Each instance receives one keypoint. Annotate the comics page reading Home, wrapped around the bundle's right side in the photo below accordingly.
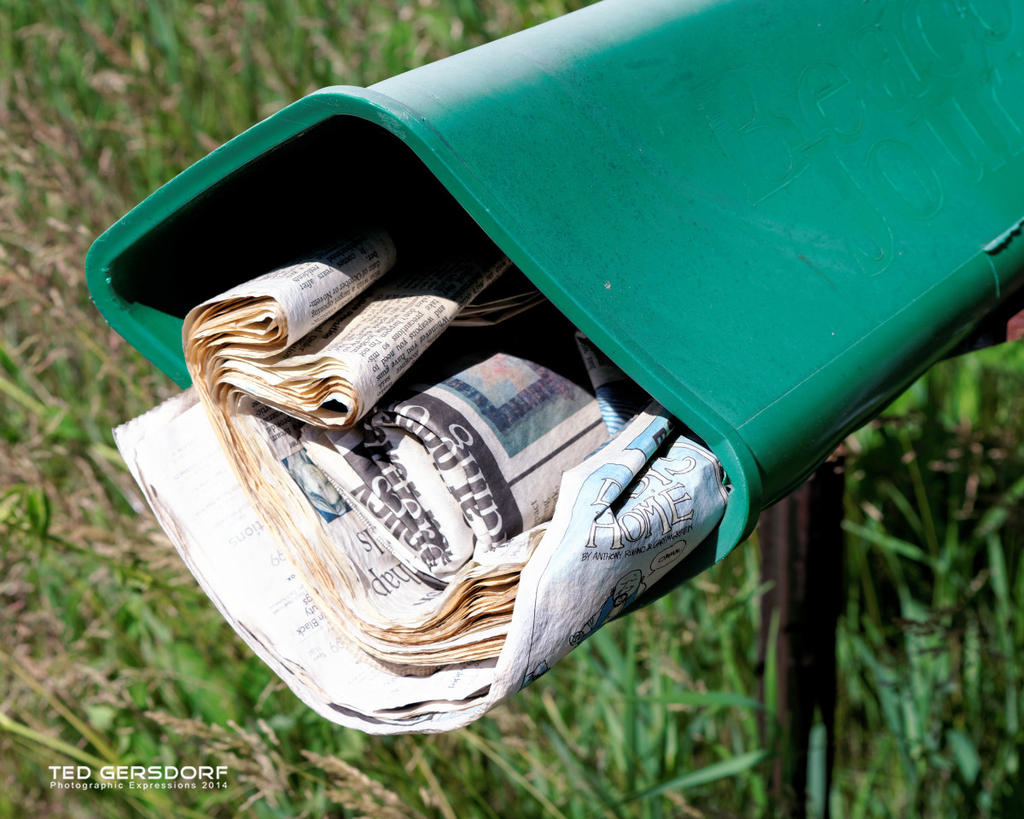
(625, 518)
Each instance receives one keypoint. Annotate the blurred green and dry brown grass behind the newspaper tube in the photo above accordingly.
(109, 654)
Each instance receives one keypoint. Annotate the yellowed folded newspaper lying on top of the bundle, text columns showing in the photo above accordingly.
(298, 339)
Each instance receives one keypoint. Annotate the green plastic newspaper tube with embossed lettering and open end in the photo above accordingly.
(774, 217)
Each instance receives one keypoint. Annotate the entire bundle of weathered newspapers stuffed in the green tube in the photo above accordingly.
(409, 532)
